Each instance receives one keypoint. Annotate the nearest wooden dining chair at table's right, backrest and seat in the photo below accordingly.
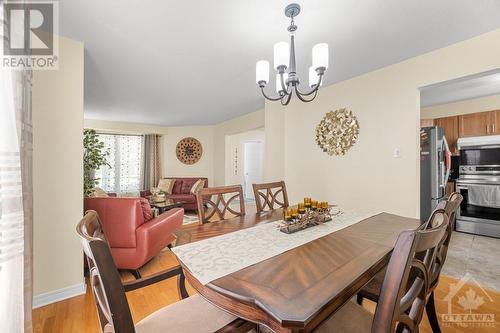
(406, 285)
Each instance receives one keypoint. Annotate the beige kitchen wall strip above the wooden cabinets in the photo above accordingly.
(487, 103)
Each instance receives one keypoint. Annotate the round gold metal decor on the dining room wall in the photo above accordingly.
(337, 132)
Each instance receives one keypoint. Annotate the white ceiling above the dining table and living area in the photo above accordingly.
(192, 62)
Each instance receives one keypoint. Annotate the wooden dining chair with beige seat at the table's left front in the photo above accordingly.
(192, 314)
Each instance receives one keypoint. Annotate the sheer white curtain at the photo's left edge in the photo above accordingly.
(15, 201)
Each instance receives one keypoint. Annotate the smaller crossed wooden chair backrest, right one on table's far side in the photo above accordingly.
(267, 196)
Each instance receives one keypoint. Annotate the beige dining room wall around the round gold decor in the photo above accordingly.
(386, 103)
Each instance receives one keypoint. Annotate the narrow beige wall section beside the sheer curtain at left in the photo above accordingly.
(58, 171)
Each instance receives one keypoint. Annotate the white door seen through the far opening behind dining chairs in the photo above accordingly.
(253, 157)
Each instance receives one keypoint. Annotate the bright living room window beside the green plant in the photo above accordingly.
(124, 176)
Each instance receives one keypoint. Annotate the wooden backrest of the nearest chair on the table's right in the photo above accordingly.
(406, 284)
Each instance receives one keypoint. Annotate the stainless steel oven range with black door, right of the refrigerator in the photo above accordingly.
(479, 184)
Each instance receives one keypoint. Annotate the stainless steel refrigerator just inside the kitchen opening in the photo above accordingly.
(435, 165)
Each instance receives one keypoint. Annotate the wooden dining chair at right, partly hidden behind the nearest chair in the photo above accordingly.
(371, 290)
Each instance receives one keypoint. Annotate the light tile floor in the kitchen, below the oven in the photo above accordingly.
(477, 255)
